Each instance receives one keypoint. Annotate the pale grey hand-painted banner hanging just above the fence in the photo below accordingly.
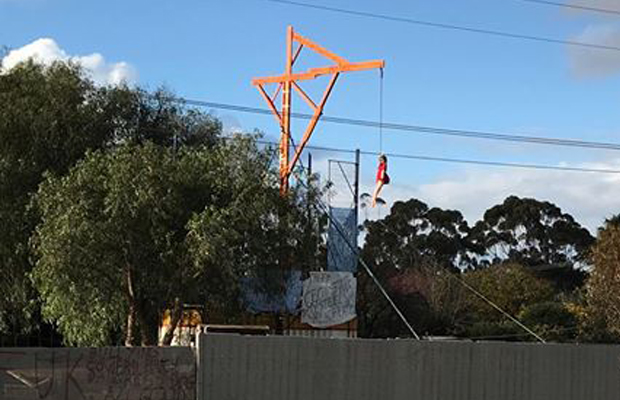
(328, 299)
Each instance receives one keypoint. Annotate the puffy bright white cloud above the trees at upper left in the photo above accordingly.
(46, 51)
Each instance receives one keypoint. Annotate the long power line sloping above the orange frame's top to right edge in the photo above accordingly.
(440, 25)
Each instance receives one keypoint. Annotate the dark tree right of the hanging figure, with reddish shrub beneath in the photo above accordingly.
(410, 249)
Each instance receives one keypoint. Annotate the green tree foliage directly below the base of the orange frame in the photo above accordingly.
(257, 234)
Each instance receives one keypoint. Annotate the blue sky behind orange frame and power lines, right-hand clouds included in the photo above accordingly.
(211, 50)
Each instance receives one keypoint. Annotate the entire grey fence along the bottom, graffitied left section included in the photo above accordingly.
(229, 367)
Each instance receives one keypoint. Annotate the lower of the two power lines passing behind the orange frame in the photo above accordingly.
(460, 160)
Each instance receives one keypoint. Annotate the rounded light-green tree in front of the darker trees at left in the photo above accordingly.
(113, 225)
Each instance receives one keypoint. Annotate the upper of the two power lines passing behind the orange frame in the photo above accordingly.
(419, 128)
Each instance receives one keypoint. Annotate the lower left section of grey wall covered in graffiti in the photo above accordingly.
(97, 374)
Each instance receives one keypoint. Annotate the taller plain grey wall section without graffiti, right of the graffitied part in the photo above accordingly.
(286, 368)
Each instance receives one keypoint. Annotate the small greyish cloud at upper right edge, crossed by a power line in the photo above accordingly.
(591, 62)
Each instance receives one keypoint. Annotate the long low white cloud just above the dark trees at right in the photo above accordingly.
(588, 197)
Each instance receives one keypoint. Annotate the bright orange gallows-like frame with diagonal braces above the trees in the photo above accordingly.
(288, 81)
